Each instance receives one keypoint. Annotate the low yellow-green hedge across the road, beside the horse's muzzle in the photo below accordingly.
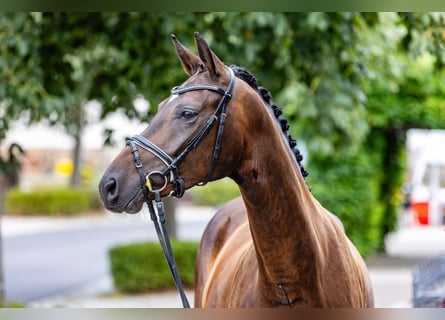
(52, 201)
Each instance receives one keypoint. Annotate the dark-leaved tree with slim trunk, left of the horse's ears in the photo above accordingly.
(108, 57)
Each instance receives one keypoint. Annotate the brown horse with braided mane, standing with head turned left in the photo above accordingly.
(276, 245)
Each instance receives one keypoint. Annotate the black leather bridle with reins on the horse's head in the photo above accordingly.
(171, 174)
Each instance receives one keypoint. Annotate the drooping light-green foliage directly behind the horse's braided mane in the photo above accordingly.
(309, 62)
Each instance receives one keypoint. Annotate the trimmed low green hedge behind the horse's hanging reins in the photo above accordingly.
(142, 267)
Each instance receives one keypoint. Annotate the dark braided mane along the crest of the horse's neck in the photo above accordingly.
(251, 80)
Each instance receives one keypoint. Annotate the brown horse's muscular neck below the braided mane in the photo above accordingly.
(284, 217)
